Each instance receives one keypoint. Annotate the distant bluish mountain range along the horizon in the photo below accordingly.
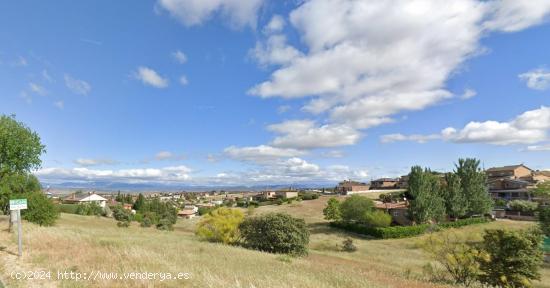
(141, 187)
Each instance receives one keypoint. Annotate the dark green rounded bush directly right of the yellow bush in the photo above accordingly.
(275, 233)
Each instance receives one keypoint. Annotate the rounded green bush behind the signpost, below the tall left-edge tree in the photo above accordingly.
(40, 209)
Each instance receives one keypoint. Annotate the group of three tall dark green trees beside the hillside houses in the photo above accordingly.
(461, 193)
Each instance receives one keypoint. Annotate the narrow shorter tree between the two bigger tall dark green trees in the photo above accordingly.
(456, 203)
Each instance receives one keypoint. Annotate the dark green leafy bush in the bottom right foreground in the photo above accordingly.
(510, 258)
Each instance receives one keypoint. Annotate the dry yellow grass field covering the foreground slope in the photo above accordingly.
(84, 244)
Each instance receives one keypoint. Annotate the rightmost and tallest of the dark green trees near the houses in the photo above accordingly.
(473, 182)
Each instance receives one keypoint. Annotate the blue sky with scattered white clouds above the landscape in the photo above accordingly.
(275, 92)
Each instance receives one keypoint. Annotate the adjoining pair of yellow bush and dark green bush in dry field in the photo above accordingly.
(271, 232)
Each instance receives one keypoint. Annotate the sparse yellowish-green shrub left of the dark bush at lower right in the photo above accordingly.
(458, 258)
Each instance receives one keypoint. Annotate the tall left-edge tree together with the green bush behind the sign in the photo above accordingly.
(20, 151)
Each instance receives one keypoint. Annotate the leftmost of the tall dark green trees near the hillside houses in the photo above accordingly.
(426, 202)
